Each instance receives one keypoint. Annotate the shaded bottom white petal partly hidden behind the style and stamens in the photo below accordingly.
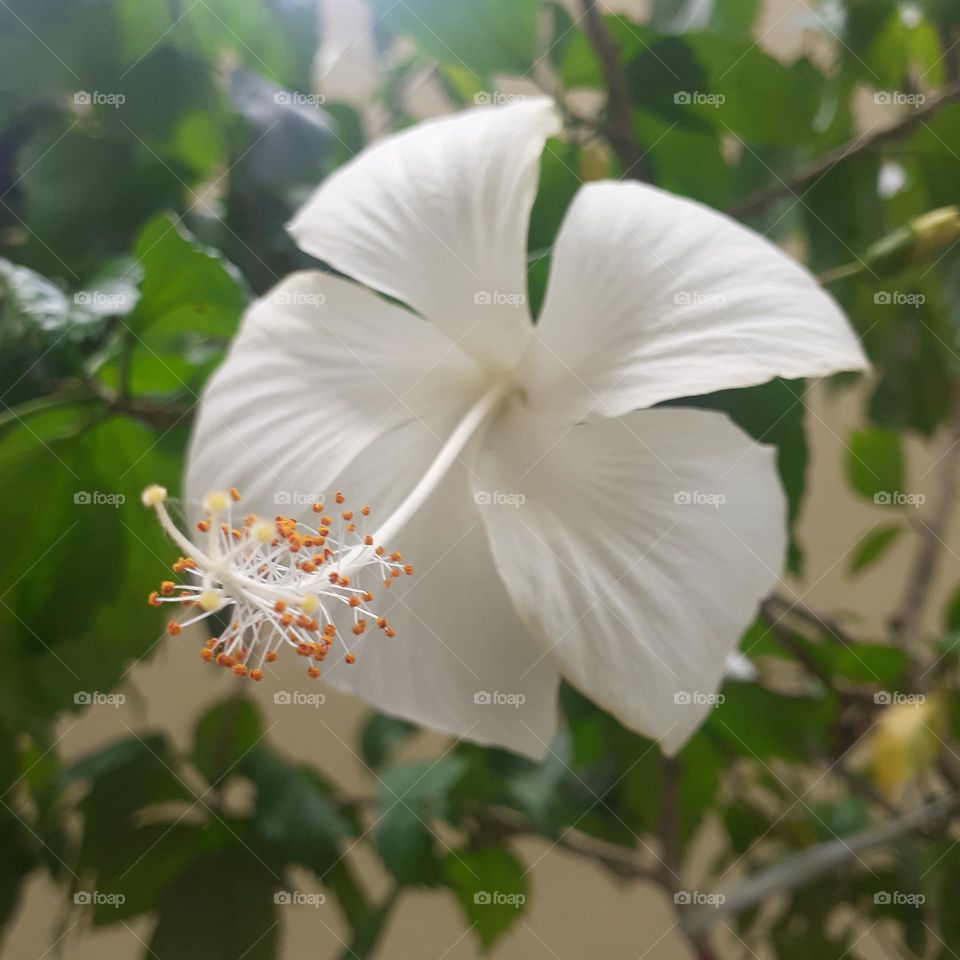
(458, 635)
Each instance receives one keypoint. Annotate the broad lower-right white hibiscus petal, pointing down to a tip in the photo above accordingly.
(638, 594)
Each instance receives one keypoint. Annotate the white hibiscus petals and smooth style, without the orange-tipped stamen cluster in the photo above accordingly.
(565, 523)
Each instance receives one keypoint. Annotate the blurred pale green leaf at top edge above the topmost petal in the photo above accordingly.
(484, 36)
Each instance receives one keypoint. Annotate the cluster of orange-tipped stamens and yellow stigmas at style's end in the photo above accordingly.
(281, 583)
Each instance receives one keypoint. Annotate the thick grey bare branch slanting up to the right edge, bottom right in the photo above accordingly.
(815, 862)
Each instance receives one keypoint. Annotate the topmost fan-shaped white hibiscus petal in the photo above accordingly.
(437, 217)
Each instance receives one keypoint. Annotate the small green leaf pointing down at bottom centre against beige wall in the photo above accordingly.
(490, 885)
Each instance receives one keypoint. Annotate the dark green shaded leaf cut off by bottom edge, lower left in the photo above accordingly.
(220, 908)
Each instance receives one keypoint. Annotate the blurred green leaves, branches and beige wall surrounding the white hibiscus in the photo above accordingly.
(150, 153)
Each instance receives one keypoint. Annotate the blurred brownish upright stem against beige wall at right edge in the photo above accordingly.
(905, 623)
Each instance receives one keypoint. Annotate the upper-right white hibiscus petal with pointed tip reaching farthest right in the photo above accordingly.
(653, 297)
